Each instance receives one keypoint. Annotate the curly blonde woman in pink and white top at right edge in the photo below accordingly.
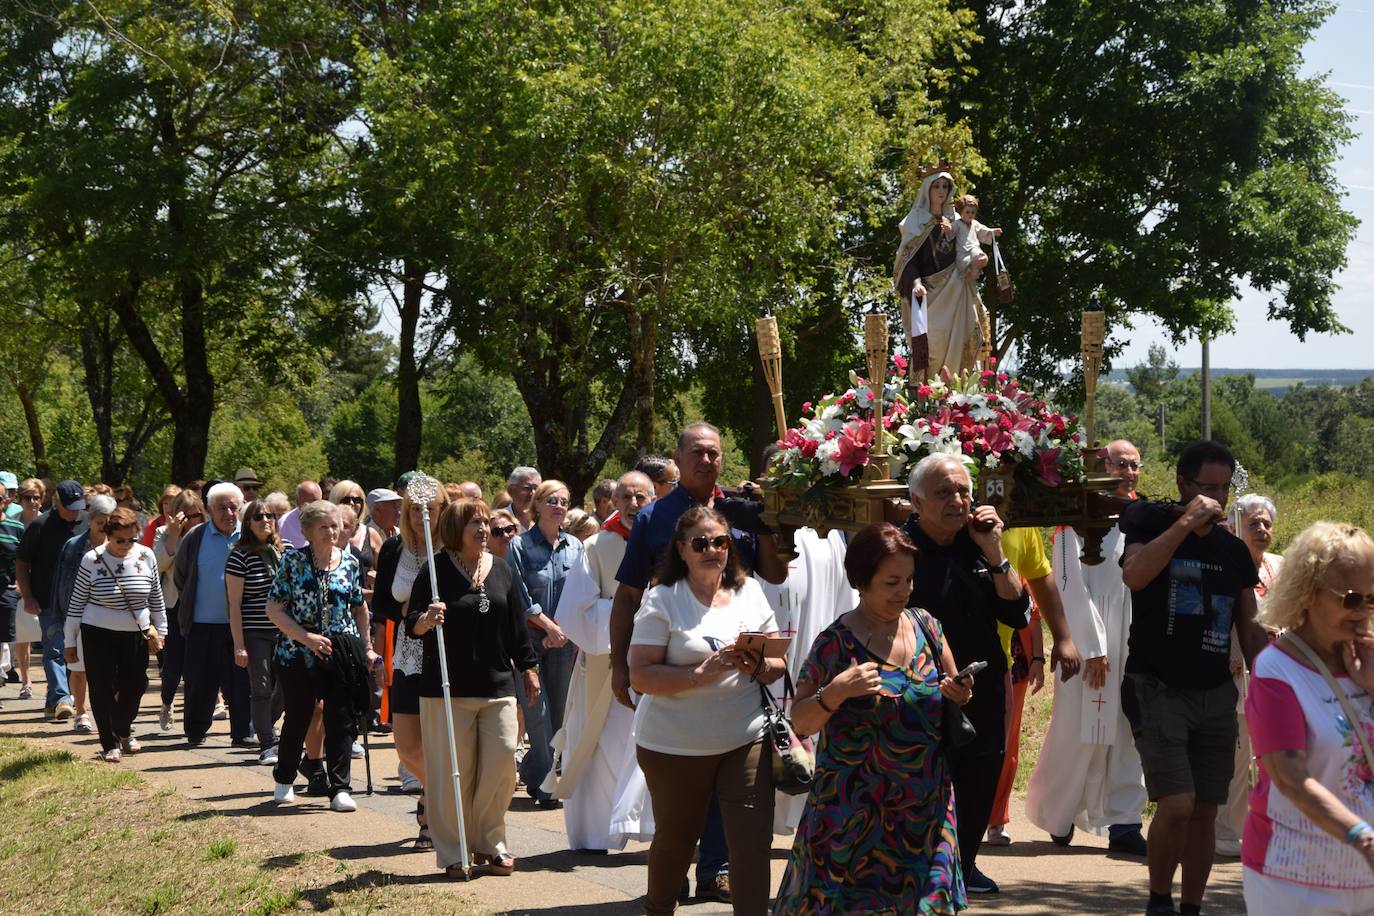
(1309, 847)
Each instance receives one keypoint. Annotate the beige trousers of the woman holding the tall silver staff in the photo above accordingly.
(484, 733)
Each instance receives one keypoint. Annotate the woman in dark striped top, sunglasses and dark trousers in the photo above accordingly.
(248, 576)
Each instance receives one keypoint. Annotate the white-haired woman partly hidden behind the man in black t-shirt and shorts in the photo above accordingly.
(1252, 518)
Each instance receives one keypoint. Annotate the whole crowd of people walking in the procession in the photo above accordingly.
(611, 661)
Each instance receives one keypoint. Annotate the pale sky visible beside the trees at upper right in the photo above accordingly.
(1342, 53)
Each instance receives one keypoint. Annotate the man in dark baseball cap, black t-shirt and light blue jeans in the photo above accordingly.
(35, 566)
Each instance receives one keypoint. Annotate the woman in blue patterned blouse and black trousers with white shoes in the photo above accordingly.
(325, 652)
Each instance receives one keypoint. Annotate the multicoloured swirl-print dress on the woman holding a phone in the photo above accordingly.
(879, 830)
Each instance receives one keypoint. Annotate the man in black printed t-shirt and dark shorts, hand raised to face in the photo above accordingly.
(1191, 583)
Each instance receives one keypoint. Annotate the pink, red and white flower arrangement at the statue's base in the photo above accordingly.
(984, 418)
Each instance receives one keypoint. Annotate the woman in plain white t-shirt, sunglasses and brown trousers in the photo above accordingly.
(700, 726)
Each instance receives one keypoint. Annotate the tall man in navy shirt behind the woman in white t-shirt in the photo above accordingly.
(699, 459)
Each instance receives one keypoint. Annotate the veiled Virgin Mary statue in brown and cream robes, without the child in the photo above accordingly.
(942, 301)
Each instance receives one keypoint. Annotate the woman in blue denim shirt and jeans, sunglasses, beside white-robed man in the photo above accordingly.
(542, 560)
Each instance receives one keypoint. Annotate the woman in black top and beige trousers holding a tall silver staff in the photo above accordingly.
(486, 641)
